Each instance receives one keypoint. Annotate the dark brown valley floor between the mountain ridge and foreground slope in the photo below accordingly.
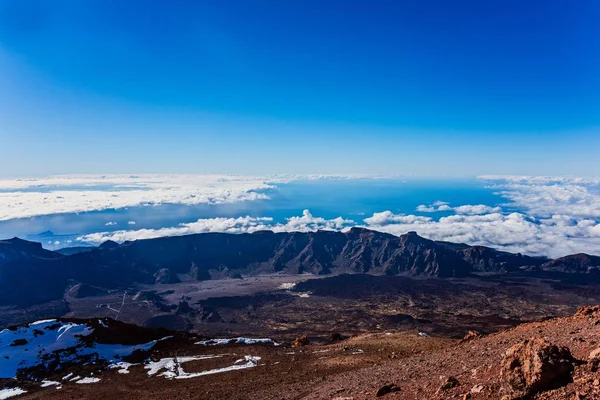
(349, 304)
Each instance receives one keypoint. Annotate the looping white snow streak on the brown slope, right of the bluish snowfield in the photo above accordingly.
(174, 369)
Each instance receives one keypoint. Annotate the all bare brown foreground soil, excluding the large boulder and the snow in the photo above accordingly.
(417, 365)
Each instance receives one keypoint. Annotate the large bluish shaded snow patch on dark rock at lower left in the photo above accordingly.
(42, 342)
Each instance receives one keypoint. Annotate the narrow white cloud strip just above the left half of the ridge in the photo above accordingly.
(305, 223)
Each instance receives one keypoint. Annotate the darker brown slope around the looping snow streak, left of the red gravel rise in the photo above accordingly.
(283, 372)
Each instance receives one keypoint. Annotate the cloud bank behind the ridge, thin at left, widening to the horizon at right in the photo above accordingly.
(541, 216)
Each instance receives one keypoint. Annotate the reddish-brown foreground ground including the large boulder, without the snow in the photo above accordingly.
(554, 359)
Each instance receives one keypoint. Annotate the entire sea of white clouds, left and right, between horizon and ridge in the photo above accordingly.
(552, 216)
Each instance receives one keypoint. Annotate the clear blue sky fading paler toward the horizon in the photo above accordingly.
(271, 86)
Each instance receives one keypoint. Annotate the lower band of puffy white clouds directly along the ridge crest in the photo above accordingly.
(515, 232)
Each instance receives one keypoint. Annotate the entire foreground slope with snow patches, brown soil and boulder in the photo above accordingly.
(553, 359)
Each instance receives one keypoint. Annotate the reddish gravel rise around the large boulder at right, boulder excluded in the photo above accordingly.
(474, 363)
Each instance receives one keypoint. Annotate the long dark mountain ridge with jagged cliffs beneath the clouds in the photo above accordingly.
(29, 274)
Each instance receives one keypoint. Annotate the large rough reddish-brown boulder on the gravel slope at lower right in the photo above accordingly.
(535, 365)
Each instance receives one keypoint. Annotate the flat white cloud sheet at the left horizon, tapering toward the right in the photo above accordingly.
(25, 198)
